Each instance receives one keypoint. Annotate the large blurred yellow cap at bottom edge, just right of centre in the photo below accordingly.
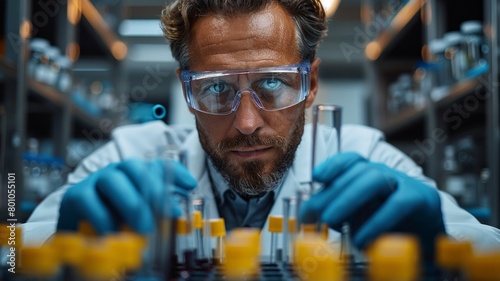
(312, 248)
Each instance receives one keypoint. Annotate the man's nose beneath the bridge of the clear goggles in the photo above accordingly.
(248, 115)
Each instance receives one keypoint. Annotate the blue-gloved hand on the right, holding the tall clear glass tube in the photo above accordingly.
(374, 199)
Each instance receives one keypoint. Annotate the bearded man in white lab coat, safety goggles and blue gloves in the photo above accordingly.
(249, 71)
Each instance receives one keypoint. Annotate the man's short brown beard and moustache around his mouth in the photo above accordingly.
(249, 180)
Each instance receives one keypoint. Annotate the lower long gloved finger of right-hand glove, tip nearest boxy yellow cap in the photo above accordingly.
(398, 207)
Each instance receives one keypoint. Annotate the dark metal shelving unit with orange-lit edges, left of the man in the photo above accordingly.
(20, 91)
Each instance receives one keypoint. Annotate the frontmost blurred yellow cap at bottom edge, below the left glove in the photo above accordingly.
(99, 262)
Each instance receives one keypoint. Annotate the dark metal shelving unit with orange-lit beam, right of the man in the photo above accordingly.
(418, 124)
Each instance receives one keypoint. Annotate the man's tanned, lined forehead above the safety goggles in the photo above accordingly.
(261, 35)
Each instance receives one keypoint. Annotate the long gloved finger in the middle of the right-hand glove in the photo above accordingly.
(370, 187)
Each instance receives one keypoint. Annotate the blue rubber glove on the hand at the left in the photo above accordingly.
(125, 193)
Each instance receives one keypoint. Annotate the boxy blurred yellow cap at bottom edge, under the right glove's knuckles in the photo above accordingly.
(394, 258)
